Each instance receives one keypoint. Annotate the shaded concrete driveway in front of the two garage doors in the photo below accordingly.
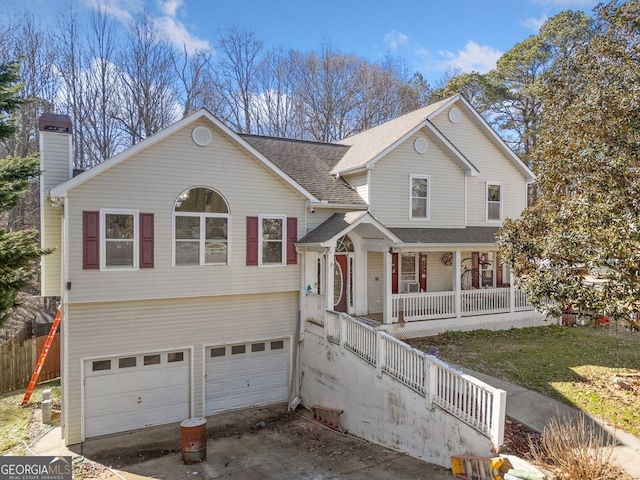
(240, 447)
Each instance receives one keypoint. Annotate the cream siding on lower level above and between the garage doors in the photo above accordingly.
(97, 330)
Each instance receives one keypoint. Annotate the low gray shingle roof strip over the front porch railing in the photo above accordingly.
(460, 236)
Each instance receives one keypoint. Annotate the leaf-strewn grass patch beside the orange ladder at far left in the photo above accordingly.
(14, 418)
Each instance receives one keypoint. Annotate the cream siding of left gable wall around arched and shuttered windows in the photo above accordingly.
(151, 182)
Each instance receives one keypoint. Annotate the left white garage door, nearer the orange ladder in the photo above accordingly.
(127, 393)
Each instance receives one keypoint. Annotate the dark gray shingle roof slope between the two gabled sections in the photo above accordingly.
(309, 164)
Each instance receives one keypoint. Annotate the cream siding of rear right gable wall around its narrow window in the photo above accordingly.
(492, 164)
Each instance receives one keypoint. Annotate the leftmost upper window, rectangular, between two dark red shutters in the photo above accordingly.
(120, 237)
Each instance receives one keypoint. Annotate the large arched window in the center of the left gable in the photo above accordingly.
(201, 227)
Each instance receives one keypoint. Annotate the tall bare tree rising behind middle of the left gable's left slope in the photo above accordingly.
(148, 97)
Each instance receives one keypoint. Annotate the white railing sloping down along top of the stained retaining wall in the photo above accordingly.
(477, 404)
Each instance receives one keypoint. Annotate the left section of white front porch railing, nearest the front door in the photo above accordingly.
(423, 306)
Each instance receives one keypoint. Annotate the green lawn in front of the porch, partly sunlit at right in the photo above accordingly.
(574, 365)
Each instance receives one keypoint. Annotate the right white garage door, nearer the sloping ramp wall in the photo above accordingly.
(246, 375)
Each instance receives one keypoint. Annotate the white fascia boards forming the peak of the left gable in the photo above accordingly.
(62, 189)
